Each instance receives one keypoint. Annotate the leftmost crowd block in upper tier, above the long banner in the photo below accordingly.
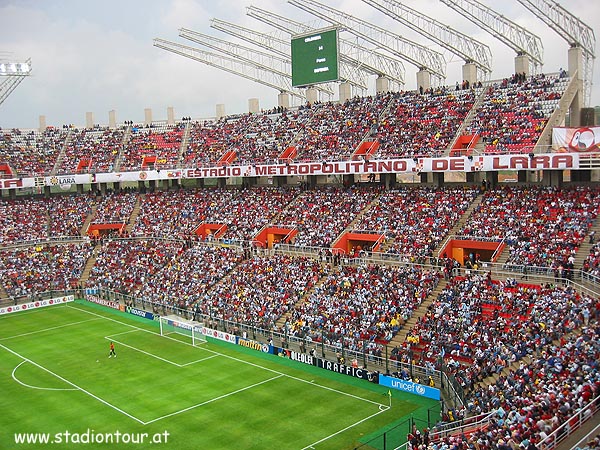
(31, 152)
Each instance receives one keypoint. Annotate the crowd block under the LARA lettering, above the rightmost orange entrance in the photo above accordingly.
(544, 226)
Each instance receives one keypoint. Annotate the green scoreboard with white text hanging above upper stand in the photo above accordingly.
(315, 58)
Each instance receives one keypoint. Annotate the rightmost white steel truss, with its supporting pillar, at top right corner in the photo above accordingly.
(571, 29)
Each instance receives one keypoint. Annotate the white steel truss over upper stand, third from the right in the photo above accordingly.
(467, 48)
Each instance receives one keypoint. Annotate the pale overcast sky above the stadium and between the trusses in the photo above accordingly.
(97, 56)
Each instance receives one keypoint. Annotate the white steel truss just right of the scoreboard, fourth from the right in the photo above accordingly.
(424, 58)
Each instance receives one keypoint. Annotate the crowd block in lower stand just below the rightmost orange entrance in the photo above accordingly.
(480, 325)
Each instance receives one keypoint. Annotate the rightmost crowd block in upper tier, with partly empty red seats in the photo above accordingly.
(514, 112)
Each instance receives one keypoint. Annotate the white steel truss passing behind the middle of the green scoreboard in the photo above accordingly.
(279, 43)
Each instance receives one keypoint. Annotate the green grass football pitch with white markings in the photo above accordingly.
(56, 378)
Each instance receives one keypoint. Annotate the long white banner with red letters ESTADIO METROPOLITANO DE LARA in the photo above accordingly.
(485, 163)
